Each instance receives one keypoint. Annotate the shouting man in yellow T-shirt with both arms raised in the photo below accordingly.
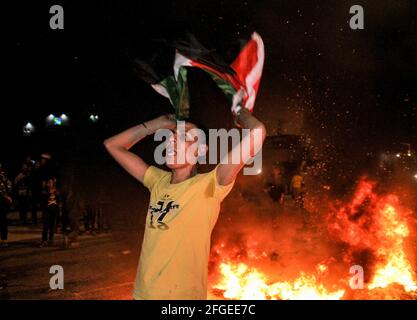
(183, 208)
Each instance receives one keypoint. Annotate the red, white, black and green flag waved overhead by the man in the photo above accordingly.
(239, 81)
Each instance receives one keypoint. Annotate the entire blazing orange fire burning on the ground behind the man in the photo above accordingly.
(372, 229)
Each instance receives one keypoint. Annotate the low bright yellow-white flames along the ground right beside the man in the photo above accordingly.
(242, 282)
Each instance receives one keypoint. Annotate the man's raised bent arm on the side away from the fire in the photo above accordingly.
(119, 145)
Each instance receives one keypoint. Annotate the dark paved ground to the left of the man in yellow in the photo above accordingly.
(103, 267)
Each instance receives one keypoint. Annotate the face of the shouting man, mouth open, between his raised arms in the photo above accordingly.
(182, 148)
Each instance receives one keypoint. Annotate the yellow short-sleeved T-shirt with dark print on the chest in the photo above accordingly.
(174, 259)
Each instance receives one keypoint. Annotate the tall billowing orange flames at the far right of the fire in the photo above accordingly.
(380, 225)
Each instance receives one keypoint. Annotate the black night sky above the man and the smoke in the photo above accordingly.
(354, 92)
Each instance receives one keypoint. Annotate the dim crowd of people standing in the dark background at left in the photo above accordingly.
(38, 188)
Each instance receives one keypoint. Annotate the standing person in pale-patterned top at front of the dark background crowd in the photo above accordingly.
(50, 213)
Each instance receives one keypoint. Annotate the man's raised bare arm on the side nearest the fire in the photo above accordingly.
(249, 146)
